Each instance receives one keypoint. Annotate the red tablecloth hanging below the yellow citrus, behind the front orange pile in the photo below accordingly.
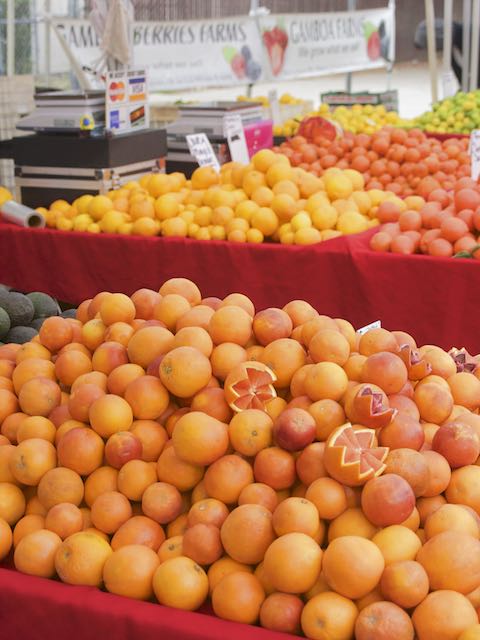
(434, 299)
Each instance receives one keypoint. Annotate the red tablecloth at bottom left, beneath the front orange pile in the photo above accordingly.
(38, 609)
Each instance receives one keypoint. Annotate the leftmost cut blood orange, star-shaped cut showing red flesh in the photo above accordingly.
(249, 385)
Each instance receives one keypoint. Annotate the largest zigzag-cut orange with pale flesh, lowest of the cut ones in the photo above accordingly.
(352, 457)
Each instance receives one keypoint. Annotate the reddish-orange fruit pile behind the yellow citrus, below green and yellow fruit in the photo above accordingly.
(406, 162)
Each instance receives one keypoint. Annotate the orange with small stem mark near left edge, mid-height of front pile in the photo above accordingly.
(31, 460)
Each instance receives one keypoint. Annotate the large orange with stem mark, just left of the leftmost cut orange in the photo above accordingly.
(184, 371)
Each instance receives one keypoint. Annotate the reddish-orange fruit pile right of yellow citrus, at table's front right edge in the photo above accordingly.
(447, 224)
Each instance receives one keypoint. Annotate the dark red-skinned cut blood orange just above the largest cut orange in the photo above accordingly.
(368, 405)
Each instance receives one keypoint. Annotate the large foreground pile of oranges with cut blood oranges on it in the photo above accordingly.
(298, 474)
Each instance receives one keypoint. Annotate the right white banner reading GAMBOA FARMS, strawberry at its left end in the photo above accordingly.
(311, 44)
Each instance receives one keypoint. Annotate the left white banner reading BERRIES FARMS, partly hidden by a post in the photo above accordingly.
(184, 54)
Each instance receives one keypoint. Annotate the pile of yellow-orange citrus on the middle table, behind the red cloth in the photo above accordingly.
(266, 200)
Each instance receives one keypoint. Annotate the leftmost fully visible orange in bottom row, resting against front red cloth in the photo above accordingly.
(35, 553)
